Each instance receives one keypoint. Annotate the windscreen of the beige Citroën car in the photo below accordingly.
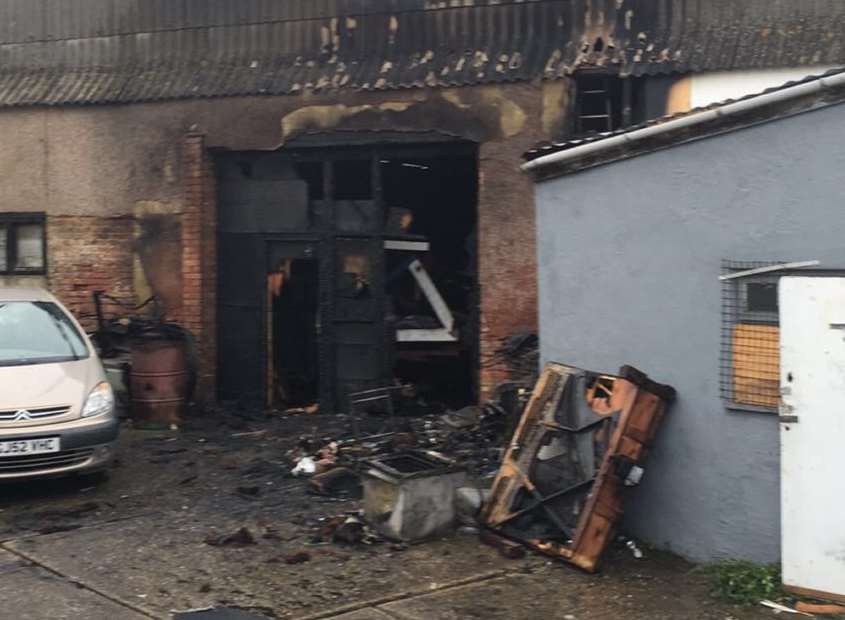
(37, 332)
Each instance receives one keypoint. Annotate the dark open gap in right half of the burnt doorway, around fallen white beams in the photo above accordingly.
(434, 198)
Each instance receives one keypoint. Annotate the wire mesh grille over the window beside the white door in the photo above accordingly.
(750, 340)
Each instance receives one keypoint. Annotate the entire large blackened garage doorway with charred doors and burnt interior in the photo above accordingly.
(312, 296)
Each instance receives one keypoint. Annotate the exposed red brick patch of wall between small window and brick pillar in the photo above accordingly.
(86, 254)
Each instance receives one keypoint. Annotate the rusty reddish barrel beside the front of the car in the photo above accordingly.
(158, 383)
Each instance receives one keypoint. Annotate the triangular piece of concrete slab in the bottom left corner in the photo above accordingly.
(28, 592)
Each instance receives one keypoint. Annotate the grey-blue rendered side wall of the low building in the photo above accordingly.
(629, 257)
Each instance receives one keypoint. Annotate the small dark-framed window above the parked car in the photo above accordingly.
(22, 247)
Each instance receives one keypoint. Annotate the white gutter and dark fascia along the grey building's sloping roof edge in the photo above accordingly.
(633, 137)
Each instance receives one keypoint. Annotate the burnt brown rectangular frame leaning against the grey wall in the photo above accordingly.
(581, 441)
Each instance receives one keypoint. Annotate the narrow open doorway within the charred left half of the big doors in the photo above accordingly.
(293, 326)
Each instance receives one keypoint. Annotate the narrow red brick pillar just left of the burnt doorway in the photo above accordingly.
(199, 260)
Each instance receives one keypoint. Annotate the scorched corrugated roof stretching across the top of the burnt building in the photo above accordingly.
(118, 51)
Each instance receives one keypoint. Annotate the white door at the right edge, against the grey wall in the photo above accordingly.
(812, 431)
